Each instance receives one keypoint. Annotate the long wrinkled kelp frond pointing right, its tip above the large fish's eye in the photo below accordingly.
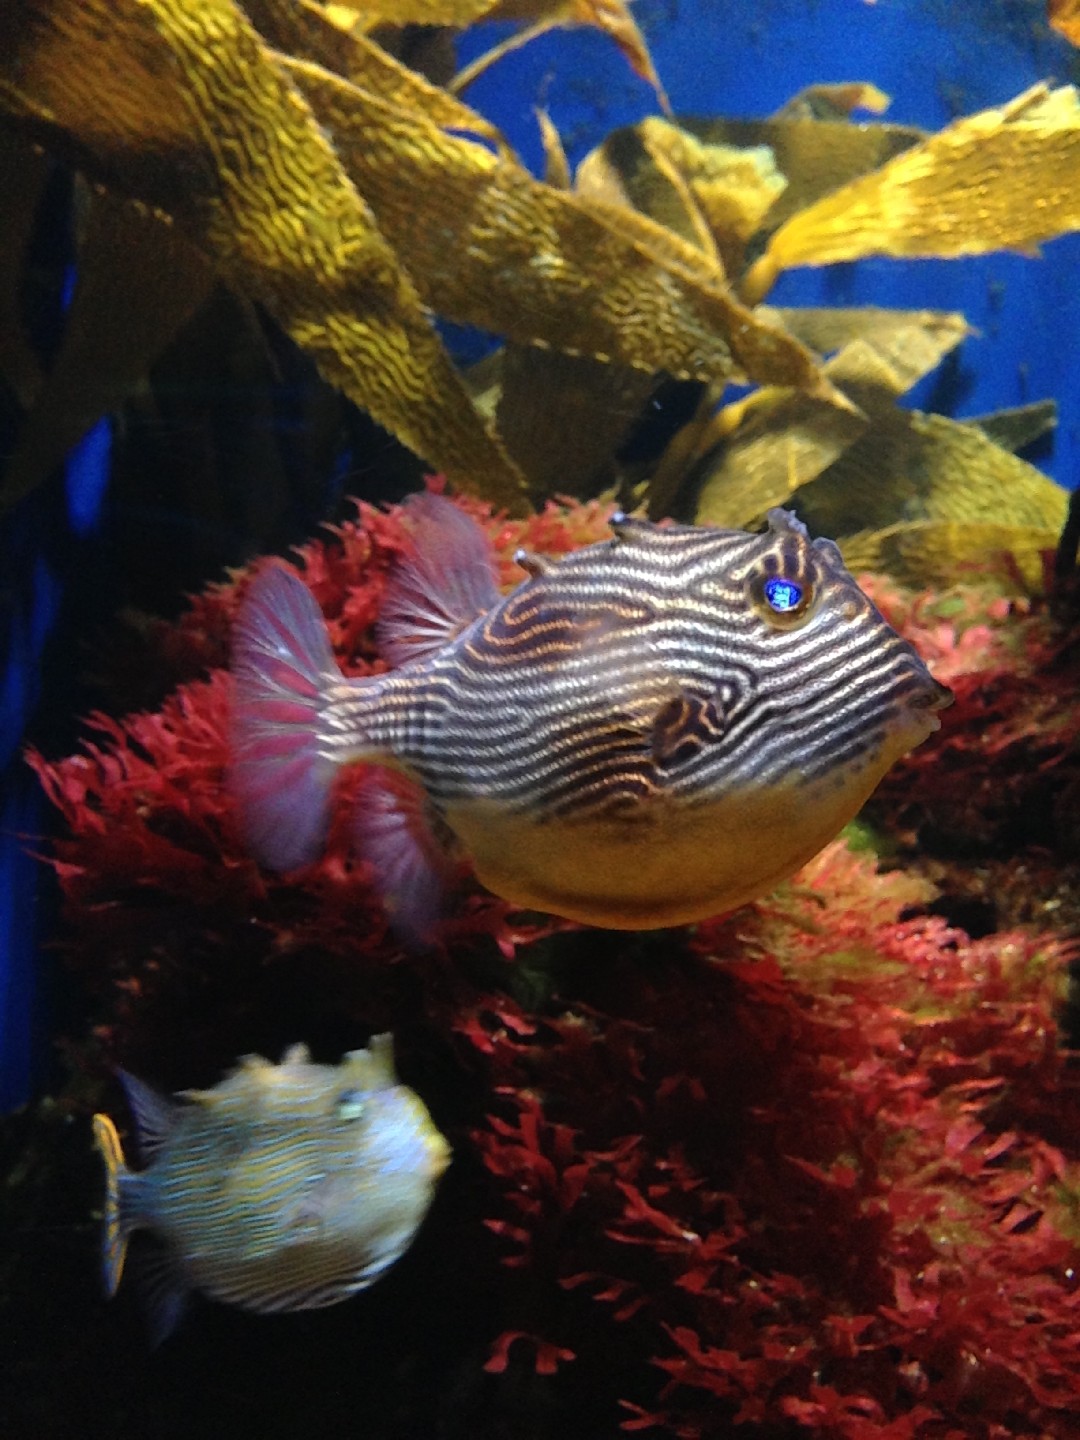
(503, 251)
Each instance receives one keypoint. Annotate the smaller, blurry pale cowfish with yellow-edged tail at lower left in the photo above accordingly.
(283, 1189)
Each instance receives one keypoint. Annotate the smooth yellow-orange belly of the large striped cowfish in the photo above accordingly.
(673, 863)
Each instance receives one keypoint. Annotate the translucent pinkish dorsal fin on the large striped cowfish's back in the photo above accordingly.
(440, 587)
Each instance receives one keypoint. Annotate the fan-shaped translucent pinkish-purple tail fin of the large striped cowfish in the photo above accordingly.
(283, 666)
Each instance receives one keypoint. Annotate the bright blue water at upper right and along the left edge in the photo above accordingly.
(716, 58)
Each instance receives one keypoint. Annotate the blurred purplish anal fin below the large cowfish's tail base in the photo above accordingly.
(395, 834)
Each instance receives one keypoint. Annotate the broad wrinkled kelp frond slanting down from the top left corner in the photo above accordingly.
(181, 103)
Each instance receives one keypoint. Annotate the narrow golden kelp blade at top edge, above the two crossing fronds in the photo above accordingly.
(307, 31)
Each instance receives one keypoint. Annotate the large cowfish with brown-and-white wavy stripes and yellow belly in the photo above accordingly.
(646, 732)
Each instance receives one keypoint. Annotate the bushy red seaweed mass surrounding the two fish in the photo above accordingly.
(813, 1169)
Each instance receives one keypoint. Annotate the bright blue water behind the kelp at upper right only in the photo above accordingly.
(937, 60)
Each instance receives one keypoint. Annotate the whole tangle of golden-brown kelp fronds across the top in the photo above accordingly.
(282, 153)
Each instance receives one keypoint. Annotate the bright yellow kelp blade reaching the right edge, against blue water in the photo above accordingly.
(1003, 179)
